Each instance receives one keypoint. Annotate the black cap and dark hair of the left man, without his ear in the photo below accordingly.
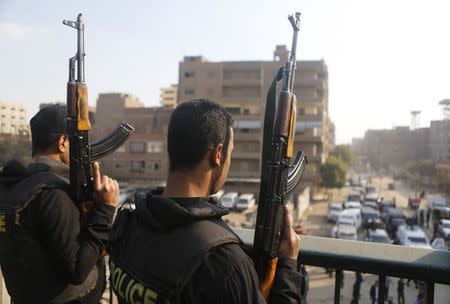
(47, 126)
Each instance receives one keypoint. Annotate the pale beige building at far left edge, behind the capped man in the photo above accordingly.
(13, 119)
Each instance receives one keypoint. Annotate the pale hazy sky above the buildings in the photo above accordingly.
(385, 58)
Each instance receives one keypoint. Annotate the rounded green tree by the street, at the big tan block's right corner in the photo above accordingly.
(333, 172)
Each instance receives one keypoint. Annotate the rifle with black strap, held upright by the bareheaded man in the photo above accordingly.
(278, 176)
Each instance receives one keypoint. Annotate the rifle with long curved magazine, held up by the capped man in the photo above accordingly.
(82, 152)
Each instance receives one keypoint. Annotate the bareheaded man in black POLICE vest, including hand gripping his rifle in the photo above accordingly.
(174, 247)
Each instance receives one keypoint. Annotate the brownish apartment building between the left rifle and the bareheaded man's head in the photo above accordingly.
(143, 158)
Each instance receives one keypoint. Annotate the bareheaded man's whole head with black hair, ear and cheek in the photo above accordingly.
(200, 137)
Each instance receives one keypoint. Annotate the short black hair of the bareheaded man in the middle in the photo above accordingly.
(196, 126)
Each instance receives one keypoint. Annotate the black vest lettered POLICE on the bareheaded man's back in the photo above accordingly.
(154, 267)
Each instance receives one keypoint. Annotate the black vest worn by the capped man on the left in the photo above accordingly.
(23, 260)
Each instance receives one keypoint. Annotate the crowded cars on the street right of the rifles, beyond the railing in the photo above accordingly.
(381, 222)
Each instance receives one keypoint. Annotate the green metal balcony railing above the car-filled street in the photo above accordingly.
(430, 266)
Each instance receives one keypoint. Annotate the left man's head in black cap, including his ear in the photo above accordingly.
(48, 133)
